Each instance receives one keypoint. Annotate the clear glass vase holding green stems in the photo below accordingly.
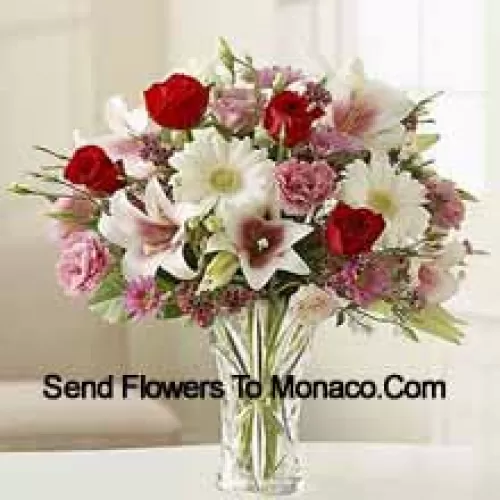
(260, 353)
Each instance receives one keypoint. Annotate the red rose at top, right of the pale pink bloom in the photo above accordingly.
(293, 113)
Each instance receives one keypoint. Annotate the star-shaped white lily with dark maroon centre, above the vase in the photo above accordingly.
(263, 246)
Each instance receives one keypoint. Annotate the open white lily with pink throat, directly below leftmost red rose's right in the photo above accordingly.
(154, 237)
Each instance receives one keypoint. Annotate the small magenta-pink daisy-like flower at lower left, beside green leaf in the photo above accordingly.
(143, 297)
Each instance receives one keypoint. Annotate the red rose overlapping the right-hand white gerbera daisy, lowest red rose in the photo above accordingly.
(351, 231)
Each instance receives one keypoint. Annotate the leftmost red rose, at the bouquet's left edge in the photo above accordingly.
(90, 166)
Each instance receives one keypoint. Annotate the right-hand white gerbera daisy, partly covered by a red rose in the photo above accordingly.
(396, 196)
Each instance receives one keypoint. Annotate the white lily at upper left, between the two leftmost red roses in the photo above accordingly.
(122, 144)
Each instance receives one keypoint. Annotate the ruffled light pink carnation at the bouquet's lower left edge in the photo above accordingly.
(83, 262)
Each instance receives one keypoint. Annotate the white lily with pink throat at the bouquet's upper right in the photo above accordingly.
(367, 111)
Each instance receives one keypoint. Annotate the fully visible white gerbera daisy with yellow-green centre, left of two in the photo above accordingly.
(229, 174)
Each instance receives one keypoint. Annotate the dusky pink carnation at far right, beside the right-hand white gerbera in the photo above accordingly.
(445, 204)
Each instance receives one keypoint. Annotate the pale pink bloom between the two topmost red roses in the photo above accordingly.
(237, 109)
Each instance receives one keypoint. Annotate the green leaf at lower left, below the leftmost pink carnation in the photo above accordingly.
(107, 301)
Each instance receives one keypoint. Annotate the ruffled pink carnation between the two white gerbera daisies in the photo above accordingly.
(303, 186)
